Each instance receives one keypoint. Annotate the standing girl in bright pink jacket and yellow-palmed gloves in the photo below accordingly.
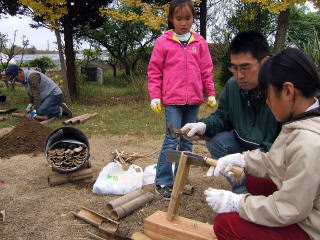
(179, 75)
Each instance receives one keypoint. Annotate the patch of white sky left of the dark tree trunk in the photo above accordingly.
(41, 38)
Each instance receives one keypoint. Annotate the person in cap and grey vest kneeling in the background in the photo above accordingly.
(45, 96)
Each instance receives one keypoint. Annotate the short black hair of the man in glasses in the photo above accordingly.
(250, 42)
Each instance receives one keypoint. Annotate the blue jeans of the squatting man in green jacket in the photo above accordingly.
(222, 144)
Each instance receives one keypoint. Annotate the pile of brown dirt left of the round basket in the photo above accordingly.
(27, 136)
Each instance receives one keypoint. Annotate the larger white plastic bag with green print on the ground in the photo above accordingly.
(114, 180)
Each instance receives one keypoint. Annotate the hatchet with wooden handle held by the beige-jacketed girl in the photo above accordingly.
(194, 159)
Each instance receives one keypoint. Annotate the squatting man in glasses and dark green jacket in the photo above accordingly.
(243, 121)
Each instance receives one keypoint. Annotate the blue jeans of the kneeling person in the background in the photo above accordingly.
(50, 106)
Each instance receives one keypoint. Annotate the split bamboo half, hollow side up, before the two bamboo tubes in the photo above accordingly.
(101, 222)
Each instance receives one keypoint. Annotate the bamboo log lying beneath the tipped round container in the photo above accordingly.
(57, 178)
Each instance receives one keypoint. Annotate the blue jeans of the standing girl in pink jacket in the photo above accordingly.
(177, 116)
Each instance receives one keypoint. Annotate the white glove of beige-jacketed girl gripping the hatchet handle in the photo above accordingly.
(225, 164)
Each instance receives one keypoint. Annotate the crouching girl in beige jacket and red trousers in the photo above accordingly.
(290, 82)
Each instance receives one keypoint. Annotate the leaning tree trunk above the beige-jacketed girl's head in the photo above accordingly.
(282, 26)
